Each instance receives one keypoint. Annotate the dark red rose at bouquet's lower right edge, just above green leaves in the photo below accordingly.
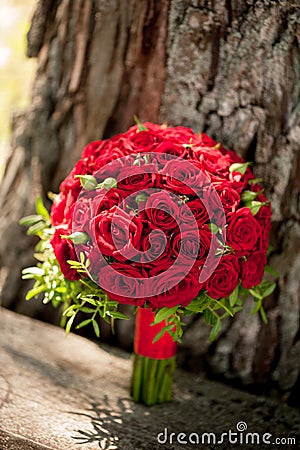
(253, 269)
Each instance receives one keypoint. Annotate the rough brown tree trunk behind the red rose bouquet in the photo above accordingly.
(229, 68)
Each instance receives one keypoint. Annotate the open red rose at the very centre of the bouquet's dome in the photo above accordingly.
(162, 211)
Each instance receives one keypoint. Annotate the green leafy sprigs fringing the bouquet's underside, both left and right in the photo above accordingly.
(85, 296)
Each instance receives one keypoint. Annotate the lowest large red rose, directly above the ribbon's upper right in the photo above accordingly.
(165, 294)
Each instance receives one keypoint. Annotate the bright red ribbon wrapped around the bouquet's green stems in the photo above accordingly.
(164, 348)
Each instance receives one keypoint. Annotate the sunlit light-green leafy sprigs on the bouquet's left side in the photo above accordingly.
(79, 296)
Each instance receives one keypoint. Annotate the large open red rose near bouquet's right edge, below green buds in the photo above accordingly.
(243, 231)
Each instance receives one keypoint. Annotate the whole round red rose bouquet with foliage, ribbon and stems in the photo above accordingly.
(160, 218)
